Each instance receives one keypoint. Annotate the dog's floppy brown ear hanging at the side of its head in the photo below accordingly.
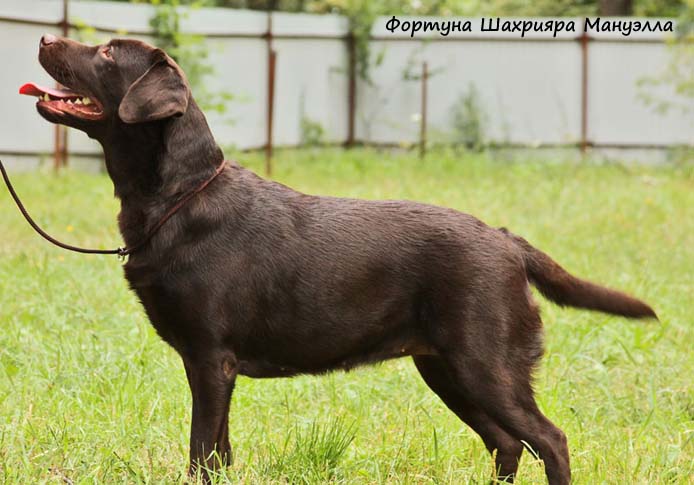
(161, 92)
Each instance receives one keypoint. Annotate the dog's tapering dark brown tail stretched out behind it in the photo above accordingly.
(563, 288)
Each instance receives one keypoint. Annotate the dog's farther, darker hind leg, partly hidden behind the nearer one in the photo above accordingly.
(508, 449)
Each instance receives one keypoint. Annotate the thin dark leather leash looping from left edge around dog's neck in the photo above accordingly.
(122, 252)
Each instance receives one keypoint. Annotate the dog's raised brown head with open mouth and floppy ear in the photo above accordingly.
(122, 82)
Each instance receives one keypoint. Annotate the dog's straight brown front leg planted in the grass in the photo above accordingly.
(211, 378)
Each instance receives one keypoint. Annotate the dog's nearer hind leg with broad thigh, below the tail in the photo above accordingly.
(490, 354)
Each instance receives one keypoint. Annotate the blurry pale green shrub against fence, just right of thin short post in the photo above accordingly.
(469, 120)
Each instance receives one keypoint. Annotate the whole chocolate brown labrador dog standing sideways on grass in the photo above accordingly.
(249, 277)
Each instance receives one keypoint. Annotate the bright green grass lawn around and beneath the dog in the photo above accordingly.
(89, 393)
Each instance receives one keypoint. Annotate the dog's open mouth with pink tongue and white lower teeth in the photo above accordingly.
(64, 102)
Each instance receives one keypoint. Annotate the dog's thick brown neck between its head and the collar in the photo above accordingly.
(152, 163)
